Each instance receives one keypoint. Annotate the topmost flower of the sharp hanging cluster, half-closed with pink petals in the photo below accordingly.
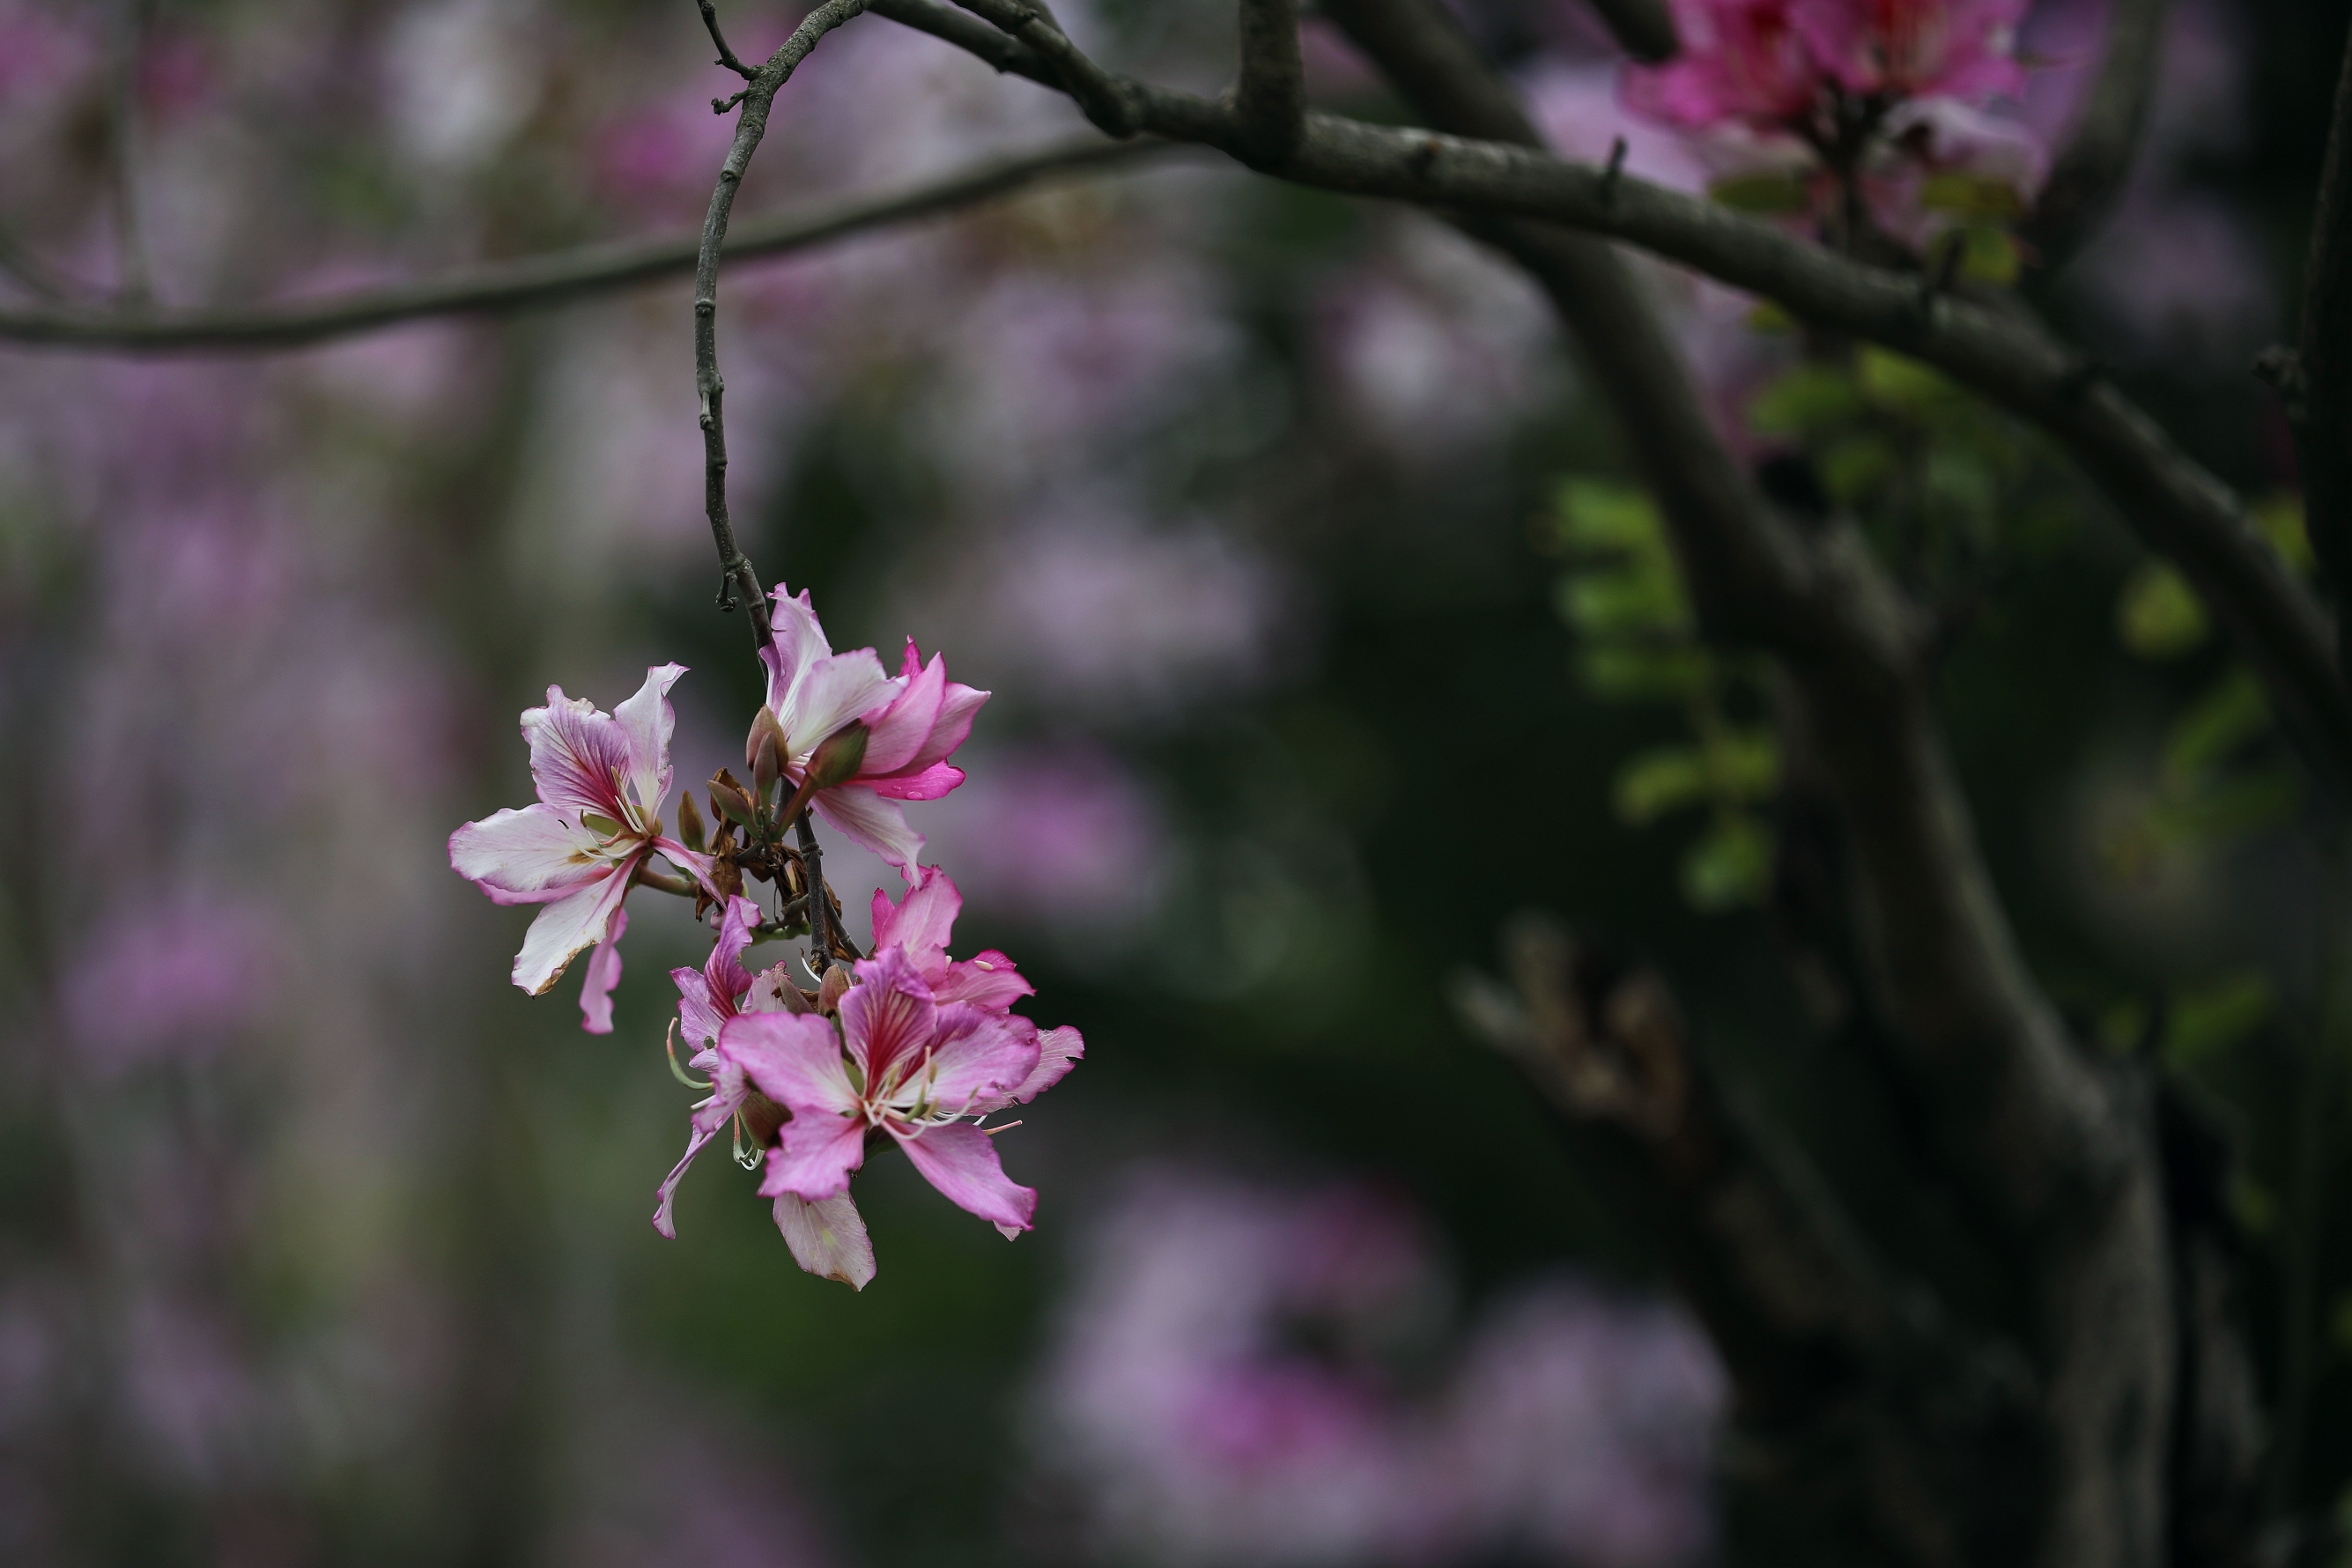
(914, 723)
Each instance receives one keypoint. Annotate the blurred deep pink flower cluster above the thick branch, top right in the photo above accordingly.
(1855, 109)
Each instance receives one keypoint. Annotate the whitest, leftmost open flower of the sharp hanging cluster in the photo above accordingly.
(580, 845)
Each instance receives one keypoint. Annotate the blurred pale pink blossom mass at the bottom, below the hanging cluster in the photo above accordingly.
(1245, 1376)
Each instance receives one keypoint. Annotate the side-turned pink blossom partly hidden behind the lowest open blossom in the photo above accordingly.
(827, 1238)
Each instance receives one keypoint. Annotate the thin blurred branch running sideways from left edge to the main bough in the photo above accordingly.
(554, 279)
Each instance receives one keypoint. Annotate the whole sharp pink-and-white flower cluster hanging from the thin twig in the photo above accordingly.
(900, 1047)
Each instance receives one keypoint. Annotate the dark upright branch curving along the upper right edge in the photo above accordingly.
(2323, 415)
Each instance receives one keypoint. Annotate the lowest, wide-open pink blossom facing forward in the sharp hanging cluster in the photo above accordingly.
(921, 1052)
